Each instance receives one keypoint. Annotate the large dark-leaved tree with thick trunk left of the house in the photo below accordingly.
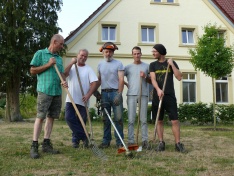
(25, 27)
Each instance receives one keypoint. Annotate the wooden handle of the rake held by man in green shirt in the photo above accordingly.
(72, 101)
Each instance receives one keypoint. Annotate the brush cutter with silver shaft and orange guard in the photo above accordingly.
(128, 153)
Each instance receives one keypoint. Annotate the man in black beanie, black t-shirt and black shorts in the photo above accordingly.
(158, 71)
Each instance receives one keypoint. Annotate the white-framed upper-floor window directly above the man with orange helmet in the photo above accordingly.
(109, 33)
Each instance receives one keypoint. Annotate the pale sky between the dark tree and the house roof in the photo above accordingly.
(75, 12)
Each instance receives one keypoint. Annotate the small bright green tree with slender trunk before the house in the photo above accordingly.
(212, 57)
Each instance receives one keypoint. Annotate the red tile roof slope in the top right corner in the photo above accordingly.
(227, 7)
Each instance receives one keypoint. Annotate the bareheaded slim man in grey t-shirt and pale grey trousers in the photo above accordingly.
(137, 77)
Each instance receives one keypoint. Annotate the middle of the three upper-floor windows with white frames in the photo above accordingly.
(147, 35)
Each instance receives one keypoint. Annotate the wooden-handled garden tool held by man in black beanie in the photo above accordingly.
(159, 109)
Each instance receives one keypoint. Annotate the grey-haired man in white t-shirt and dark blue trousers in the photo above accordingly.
(80, 94)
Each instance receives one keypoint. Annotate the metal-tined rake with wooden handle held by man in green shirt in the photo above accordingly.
(97, 152)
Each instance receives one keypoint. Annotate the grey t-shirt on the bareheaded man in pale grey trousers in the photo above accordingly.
(132, 72)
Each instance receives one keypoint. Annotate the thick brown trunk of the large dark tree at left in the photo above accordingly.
(13, 108)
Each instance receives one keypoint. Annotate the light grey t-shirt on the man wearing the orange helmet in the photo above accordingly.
(109, 73)
